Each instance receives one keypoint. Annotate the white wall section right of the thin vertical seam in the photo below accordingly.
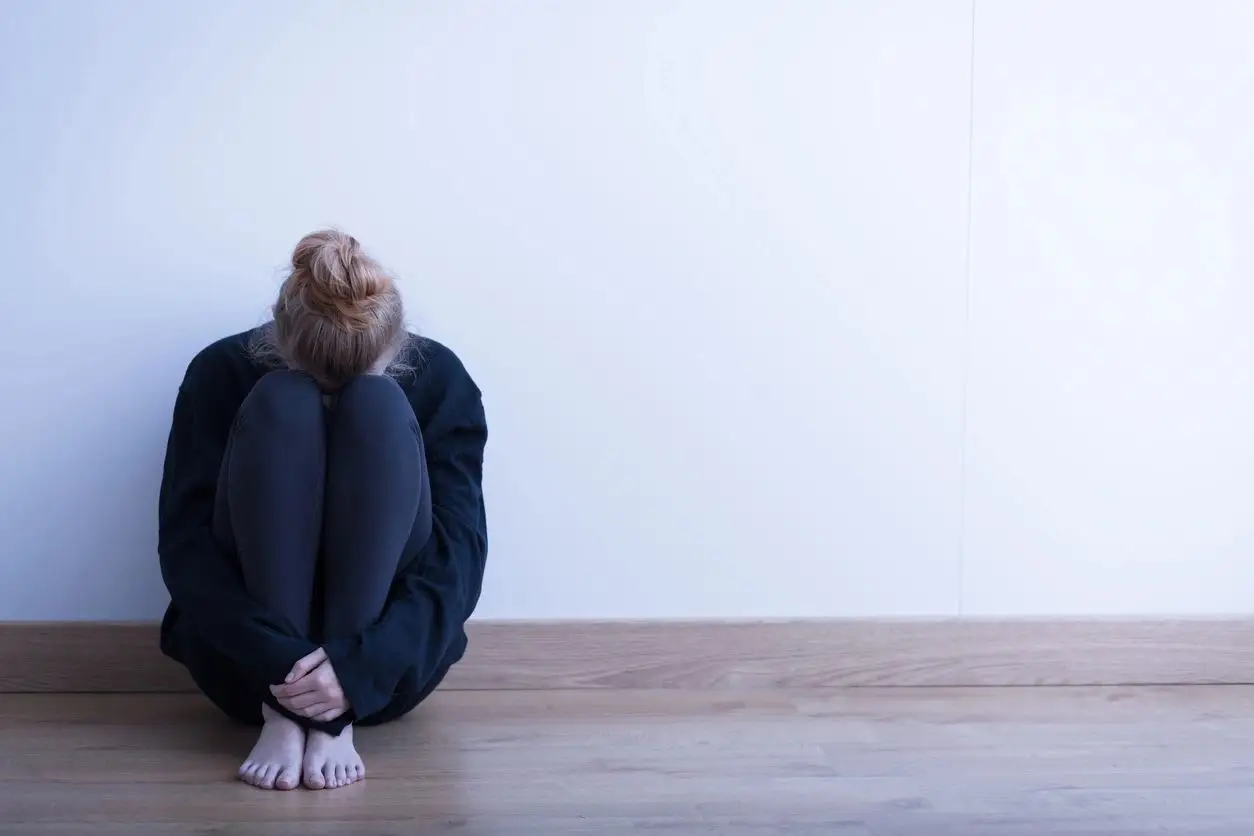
(1110, 447)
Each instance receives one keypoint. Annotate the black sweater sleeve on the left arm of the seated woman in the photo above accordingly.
(205, 583)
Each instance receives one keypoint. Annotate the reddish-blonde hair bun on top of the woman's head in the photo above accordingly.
(338, 279)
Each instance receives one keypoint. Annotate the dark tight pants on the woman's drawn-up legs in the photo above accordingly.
(324, 504)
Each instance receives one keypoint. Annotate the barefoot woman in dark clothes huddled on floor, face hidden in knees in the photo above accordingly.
(323, 531)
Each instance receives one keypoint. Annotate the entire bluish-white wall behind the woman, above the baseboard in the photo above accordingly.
(708, 260)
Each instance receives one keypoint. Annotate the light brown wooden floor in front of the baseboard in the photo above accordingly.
(893, 763)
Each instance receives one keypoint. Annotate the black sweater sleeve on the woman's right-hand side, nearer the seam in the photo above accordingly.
(431, 602)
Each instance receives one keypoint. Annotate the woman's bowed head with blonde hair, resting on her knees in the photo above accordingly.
(339, 314)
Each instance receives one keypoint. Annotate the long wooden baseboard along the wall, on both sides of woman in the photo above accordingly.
(124, 657)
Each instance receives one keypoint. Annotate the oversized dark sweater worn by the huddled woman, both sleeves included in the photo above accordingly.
(216, 629)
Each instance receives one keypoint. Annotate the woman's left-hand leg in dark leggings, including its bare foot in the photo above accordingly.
(269, 512)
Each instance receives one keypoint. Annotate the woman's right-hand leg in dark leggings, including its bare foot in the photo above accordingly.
(378, 507)
